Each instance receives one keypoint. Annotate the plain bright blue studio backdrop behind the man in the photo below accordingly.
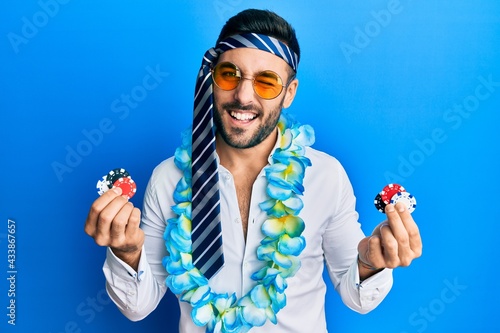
(404, 91)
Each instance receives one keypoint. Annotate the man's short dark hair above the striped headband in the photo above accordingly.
(262, 22)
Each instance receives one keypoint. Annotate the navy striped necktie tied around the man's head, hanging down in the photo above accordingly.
(206, 232)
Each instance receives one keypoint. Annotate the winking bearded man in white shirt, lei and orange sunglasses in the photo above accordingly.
(286, 209)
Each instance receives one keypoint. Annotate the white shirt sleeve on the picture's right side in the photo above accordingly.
(340, 243)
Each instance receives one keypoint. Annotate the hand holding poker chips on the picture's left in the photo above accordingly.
(114, 221)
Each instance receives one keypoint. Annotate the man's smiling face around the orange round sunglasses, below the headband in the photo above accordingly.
(244, 119)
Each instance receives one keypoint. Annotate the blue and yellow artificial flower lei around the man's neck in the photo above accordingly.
(279, 249)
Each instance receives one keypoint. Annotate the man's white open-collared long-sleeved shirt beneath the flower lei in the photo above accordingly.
(332, 234)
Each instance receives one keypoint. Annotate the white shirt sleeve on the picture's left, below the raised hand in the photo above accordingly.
(137, 294)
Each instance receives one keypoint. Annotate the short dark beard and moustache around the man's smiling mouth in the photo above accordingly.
(237, 137)
